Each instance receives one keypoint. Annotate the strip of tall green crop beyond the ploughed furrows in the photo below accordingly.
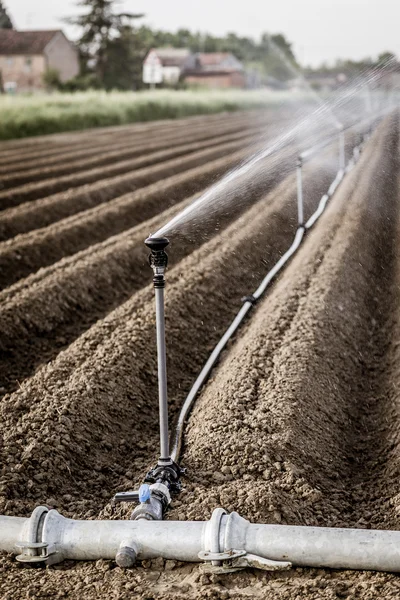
(22, 116)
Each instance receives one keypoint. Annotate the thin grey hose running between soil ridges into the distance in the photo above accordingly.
(249, 301)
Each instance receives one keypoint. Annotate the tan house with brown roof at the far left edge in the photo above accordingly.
(26, 55)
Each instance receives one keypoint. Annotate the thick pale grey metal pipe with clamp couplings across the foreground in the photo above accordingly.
(224, 544)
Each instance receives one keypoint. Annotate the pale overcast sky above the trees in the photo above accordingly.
(321, 30)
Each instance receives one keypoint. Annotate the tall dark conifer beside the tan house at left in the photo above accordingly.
(101, 26)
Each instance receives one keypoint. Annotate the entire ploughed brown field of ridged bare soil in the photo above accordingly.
(300, 422)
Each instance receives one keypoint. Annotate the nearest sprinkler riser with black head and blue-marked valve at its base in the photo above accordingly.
(164, 477)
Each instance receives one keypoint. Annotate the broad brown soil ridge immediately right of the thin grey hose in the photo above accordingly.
(288, 395)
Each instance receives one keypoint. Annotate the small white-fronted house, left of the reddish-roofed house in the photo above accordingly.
(165, 65)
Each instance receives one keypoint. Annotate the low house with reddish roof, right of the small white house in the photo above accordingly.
(215, 70)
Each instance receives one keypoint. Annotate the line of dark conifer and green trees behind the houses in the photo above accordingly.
(112, 47)
